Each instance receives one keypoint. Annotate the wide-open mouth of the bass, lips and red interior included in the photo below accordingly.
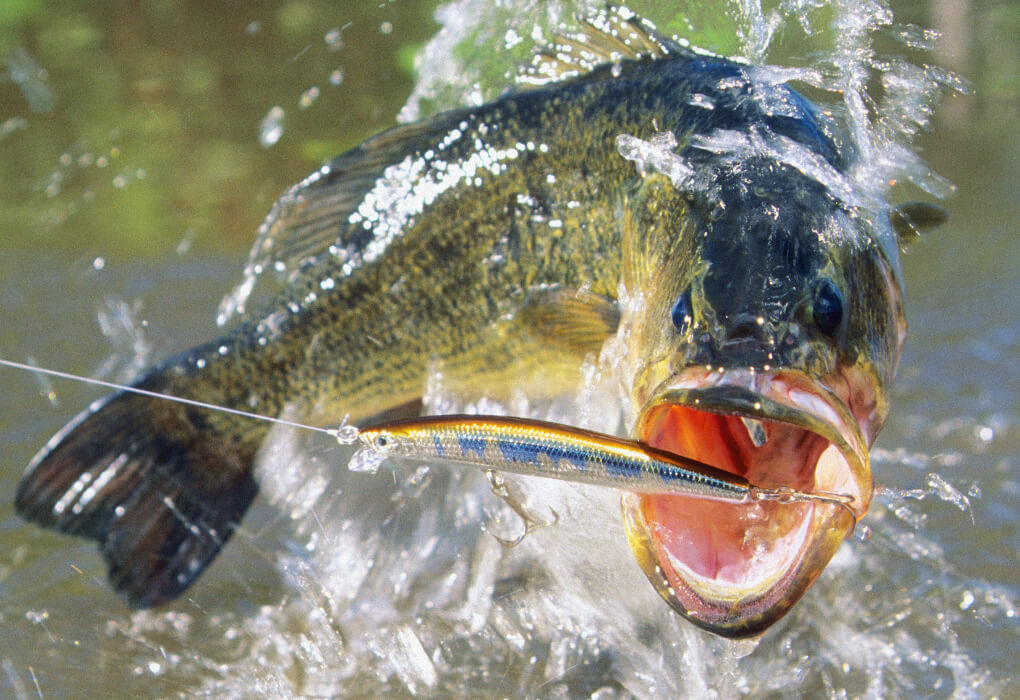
(737, 569)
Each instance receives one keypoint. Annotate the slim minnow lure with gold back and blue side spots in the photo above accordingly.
(552, 451)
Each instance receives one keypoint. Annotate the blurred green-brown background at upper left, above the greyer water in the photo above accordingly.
(127, 127)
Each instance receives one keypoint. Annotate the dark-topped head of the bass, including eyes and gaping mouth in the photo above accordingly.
(766, 345)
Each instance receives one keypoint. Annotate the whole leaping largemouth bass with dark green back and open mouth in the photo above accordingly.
(681, 204)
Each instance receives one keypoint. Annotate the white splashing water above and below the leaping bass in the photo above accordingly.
(548, 615)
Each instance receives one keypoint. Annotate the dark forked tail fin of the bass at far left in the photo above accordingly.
(150, 481)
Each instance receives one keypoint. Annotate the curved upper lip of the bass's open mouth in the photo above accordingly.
(779, 396)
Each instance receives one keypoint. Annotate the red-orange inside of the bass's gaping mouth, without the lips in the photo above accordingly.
(737, 544)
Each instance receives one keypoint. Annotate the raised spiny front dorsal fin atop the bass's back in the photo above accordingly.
(609, 36)
